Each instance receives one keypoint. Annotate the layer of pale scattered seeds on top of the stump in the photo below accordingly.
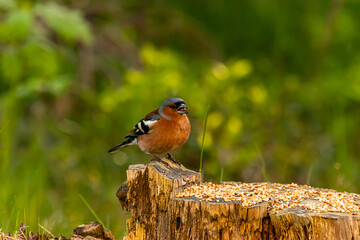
(279, 196)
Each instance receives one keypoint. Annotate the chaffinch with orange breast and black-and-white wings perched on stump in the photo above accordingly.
(161, 131)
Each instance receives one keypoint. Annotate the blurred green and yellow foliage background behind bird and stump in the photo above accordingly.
(282, 79)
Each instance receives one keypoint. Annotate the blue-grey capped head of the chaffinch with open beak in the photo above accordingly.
(173, 107)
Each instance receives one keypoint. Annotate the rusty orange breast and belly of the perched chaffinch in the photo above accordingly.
(166, 135)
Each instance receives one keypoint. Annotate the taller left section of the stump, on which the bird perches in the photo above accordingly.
(150, 188)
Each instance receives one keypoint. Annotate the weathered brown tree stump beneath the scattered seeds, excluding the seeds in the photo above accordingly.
(150, 195)
